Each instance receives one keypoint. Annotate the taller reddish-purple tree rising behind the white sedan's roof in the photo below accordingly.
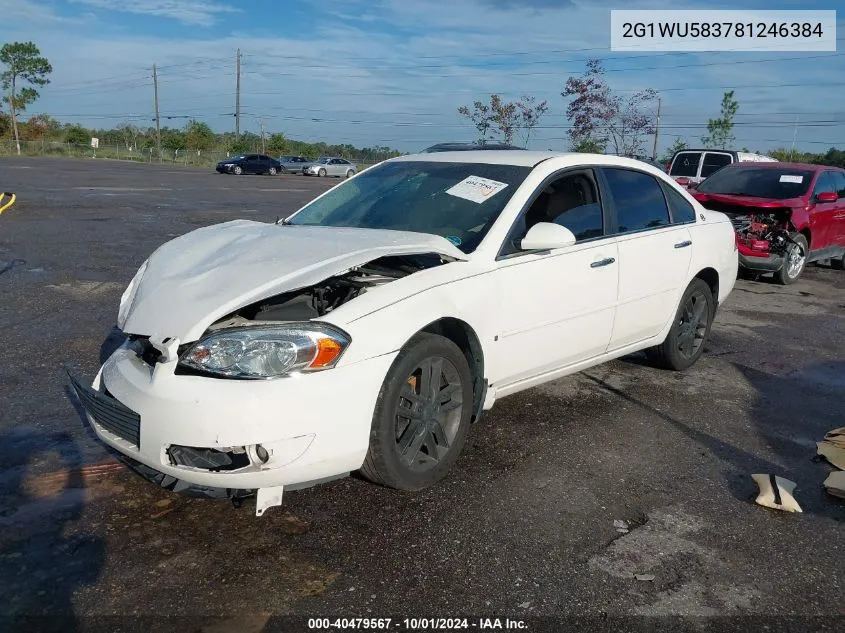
(591, 108)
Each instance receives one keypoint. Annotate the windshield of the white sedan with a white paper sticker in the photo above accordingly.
(458, 201)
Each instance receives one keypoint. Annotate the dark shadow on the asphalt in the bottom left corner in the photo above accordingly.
(43, 560)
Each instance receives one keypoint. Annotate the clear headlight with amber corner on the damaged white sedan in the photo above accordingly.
(268, 351)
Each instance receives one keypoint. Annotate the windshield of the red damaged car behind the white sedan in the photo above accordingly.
(759, 182)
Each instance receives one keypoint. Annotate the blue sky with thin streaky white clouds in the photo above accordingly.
(394, 72)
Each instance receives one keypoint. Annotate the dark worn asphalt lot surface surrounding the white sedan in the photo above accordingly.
(523, 527)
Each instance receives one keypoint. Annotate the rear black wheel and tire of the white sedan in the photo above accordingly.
(676, 352)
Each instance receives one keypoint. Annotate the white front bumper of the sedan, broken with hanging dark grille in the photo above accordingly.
(313, 427)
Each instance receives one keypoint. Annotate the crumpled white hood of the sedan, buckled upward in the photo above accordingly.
(197, 278)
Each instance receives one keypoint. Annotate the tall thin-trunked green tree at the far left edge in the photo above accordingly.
(24, 64)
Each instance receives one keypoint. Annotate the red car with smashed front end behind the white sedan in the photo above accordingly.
(785, 214)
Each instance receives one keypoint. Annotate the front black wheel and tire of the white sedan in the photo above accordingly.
(427, 458)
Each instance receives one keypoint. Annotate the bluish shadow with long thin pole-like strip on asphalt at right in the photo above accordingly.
(790, 417)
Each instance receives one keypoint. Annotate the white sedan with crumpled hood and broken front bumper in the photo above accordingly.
(368, 331)
